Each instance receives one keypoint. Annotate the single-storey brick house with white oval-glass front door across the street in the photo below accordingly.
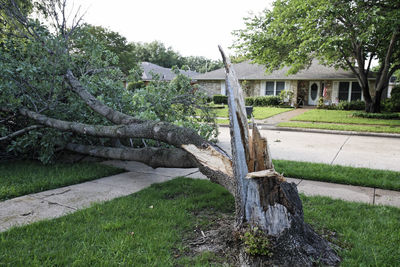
(307, 85)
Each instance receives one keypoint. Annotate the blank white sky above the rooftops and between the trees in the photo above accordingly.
(193, 28)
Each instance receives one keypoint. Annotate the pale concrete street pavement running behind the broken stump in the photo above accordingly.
(350, 150)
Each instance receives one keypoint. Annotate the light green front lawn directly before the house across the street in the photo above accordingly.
(340, 116)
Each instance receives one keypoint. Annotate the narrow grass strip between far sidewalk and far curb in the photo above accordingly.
(342, 127)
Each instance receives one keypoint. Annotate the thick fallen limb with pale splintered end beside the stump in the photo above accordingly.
(212, 161)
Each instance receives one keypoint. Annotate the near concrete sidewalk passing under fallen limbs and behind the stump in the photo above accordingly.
(58, 202)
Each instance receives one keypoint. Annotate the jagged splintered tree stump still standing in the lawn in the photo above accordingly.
(263, 198)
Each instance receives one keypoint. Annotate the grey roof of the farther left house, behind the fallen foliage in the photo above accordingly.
(165, 74)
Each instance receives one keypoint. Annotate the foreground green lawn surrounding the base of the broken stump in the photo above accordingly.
(147, 229)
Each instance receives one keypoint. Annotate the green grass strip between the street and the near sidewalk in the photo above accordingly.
(339, 174)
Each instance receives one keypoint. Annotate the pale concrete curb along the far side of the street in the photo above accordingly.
(306, 130)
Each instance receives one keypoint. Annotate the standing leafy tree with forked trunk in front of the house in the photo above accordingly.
(343, 33)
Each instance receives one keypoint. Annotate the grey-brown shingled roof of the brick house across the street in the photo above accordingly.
(252, 71)
